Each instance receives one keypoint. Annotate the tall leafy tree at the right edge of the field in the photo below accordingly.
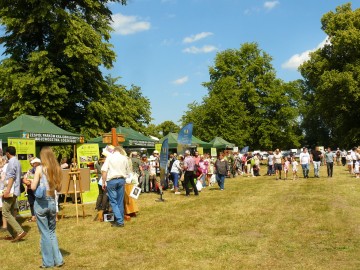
(333, 76)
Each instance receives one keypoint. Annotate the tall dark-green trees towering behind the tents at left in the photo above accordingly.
(55, 50)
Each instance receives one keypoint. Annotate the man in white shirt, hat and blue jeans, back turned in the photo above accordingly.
(115, 169)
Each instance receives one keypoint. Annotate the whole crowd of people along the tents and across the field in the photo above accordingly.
(193, 171)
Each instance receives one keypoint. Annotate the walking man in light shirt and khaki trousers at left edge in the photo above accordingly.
(11, 192)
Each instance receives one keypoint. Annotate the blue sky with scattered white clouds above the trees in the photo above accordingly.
(167, 46)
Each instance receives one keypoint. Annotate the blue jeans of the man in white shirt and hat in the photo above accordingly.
(116, 191)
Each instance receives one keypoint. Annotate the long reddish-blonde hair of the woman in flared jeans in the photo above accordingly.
(52, 168)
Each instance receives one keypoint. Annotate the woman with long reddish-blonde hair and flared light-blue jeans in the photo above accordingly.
(48, 175)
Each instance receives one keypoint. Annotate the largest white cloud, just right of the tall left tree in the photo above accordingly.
(127, 25)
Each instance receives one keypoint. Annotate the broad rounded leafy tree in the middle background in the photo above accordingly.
(246, 103)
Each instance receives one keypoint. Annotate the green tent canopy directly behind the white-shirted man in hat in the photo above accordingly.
(132, 139)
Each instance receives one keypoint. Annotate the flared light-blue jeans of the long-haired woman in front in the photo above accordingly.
(45, 210)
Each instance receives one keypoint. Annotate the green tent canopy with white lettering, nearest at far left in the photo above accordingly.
(38, 128)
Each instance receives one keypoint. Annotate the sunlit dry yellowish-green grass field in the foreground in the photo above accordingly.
(255, 223)
